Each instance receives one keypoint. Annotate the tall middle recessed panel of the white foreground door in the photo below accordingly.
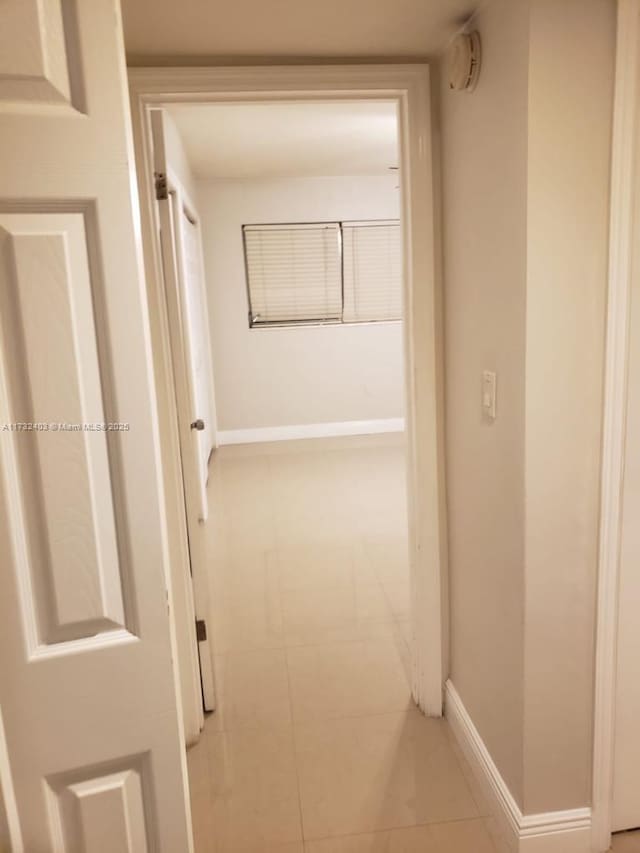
(54, 409)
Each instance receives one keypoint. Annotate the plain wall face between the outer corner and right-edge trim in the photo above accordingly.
(569, 148)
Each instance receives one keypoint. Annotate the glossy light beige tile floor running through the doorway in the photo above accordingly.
(316, 746)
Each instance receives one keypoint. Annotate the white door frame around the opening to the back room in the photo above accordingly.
(407, 85)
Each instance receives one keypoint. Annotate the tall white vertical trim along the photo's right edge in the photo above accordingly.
(623, 218)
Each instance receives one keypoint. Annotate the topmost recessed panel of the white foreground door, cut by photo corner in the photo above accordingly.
(35, 37)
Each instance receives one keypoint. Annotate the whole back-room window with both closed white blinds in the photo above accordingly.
(332, 272)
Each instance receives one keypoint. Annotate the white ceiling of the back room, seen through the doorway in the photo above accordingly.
(288, 139)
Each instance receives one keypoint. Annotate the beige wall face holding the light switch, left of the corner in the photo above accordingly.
(484, 161)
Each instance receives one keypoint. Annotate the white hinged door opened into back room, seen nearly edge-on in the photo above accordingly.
(170, 209)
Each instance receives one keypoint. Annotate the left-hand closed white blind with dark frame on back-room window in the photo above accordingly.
(293, 273)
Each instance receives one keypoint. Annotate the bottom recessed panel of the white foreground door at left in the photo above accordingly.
(103, 811)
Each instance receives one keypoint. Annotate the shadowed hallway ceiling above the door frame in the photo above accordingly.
(166, 30)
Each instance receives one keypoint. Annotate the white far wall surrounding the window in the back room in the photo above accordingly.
(300, 375)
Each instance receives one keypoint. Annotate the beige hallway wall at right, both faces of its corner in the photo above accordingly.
(525, 210)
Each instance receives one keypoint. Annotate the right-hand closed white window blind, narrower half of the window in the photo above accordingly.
(372, 268)
